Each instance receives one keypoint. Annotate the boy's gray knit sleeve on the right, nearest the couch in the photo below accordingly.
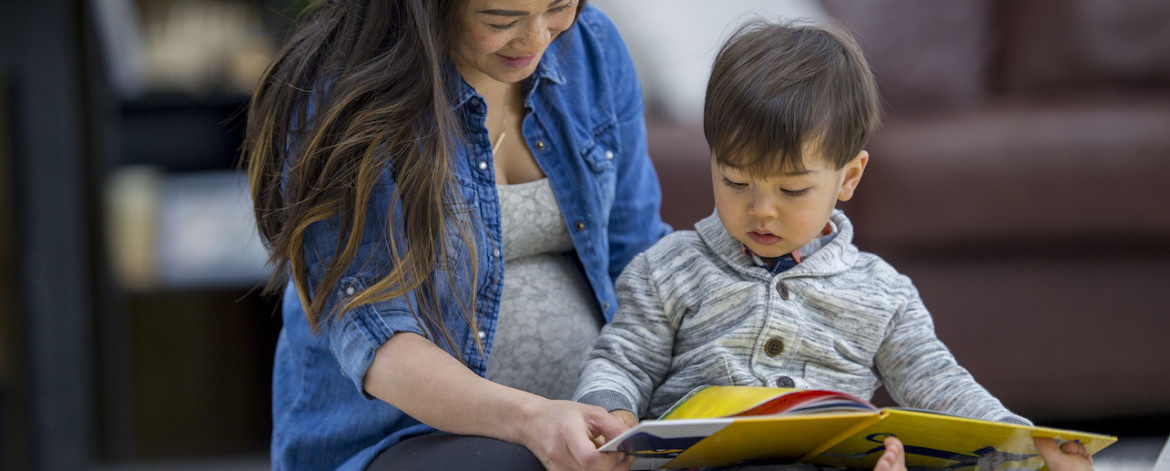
(920, 372)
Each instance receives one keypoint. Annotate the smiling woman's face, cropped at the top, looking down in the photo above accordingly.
(504, 40)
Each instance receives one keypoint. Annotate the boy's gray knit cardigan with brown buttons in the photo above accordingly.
(696, 311)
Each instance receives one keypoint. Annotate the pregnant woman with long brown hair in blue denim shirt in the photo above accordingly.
(449, 188)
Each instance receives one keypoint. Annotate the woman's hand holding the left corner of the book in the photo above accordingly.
(565, 437)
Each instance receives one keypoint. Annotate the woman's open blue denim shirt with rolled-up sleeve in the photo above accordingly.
(586, 128)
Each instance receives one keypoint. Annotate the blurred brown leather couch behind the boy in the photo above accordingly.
(1021, 179)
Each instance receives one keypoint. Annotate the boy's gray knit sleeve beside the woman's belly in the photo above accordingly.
(634, 352)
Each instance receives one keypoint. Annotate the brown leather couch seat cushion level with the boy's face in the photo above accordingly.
(1020, 172)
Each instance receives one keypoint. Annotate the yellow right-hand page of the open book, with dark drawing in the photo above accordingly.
(945, 441)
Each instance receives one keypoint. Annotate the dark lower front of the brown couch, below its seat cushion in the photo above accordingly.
(1056, 338)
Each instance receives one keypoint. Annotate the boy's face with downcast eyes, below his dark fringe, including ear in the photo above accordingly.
(780, 214)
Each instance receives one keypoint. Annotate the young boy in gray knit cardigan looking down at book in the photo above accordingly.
(770, 289)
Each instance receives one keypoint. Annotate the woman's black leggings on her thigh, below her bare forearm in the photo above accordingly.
(446, 452)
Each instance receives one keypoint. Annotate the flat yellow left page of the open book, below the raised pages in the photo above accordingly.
(774, 439)
